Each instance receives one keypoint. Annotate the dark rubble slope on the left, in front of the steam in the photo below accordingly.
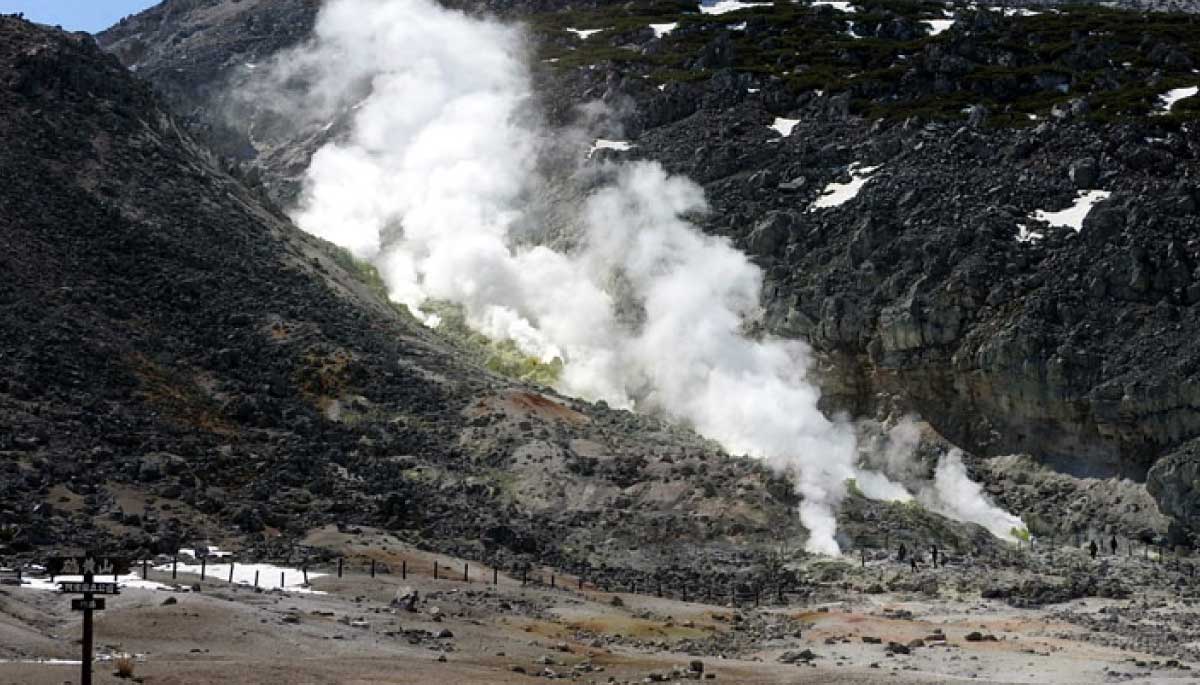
(183, 364)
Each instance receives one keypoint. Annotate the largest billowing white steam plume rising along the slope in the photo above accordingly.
(433, 184)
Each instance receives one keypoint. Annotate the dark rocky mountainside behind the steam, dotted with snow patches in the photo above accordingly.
(937, 290)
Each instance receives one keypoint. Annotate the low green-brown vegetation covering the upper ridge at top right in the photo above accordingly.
(885, 56)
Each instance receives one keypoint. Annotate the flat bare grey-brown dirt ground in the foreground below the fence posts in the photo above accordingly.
(479, 633)
